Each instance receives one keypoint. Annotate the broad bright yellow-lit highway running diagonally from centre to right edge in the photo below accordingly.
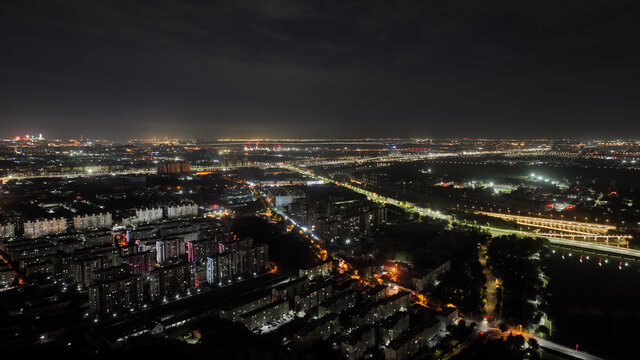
(413, 208)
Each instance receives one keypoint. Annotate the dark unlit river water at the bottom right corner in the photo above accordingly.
(595, 306)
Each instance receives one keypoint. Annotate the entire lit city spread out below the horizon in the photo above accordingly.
(360, 248)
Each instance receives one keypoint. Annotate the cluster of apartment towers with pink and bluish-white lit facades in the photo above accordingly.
(182, 262)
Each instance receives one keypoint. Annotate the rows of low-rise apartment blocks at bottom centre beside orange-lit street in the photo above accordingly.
(343, 313)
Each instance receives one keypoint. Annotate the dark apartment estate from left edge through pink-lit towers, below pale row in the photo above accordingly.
(124, 267)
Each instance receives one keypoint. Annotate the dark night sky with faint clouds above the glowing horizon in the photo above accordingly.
(212, 69)
